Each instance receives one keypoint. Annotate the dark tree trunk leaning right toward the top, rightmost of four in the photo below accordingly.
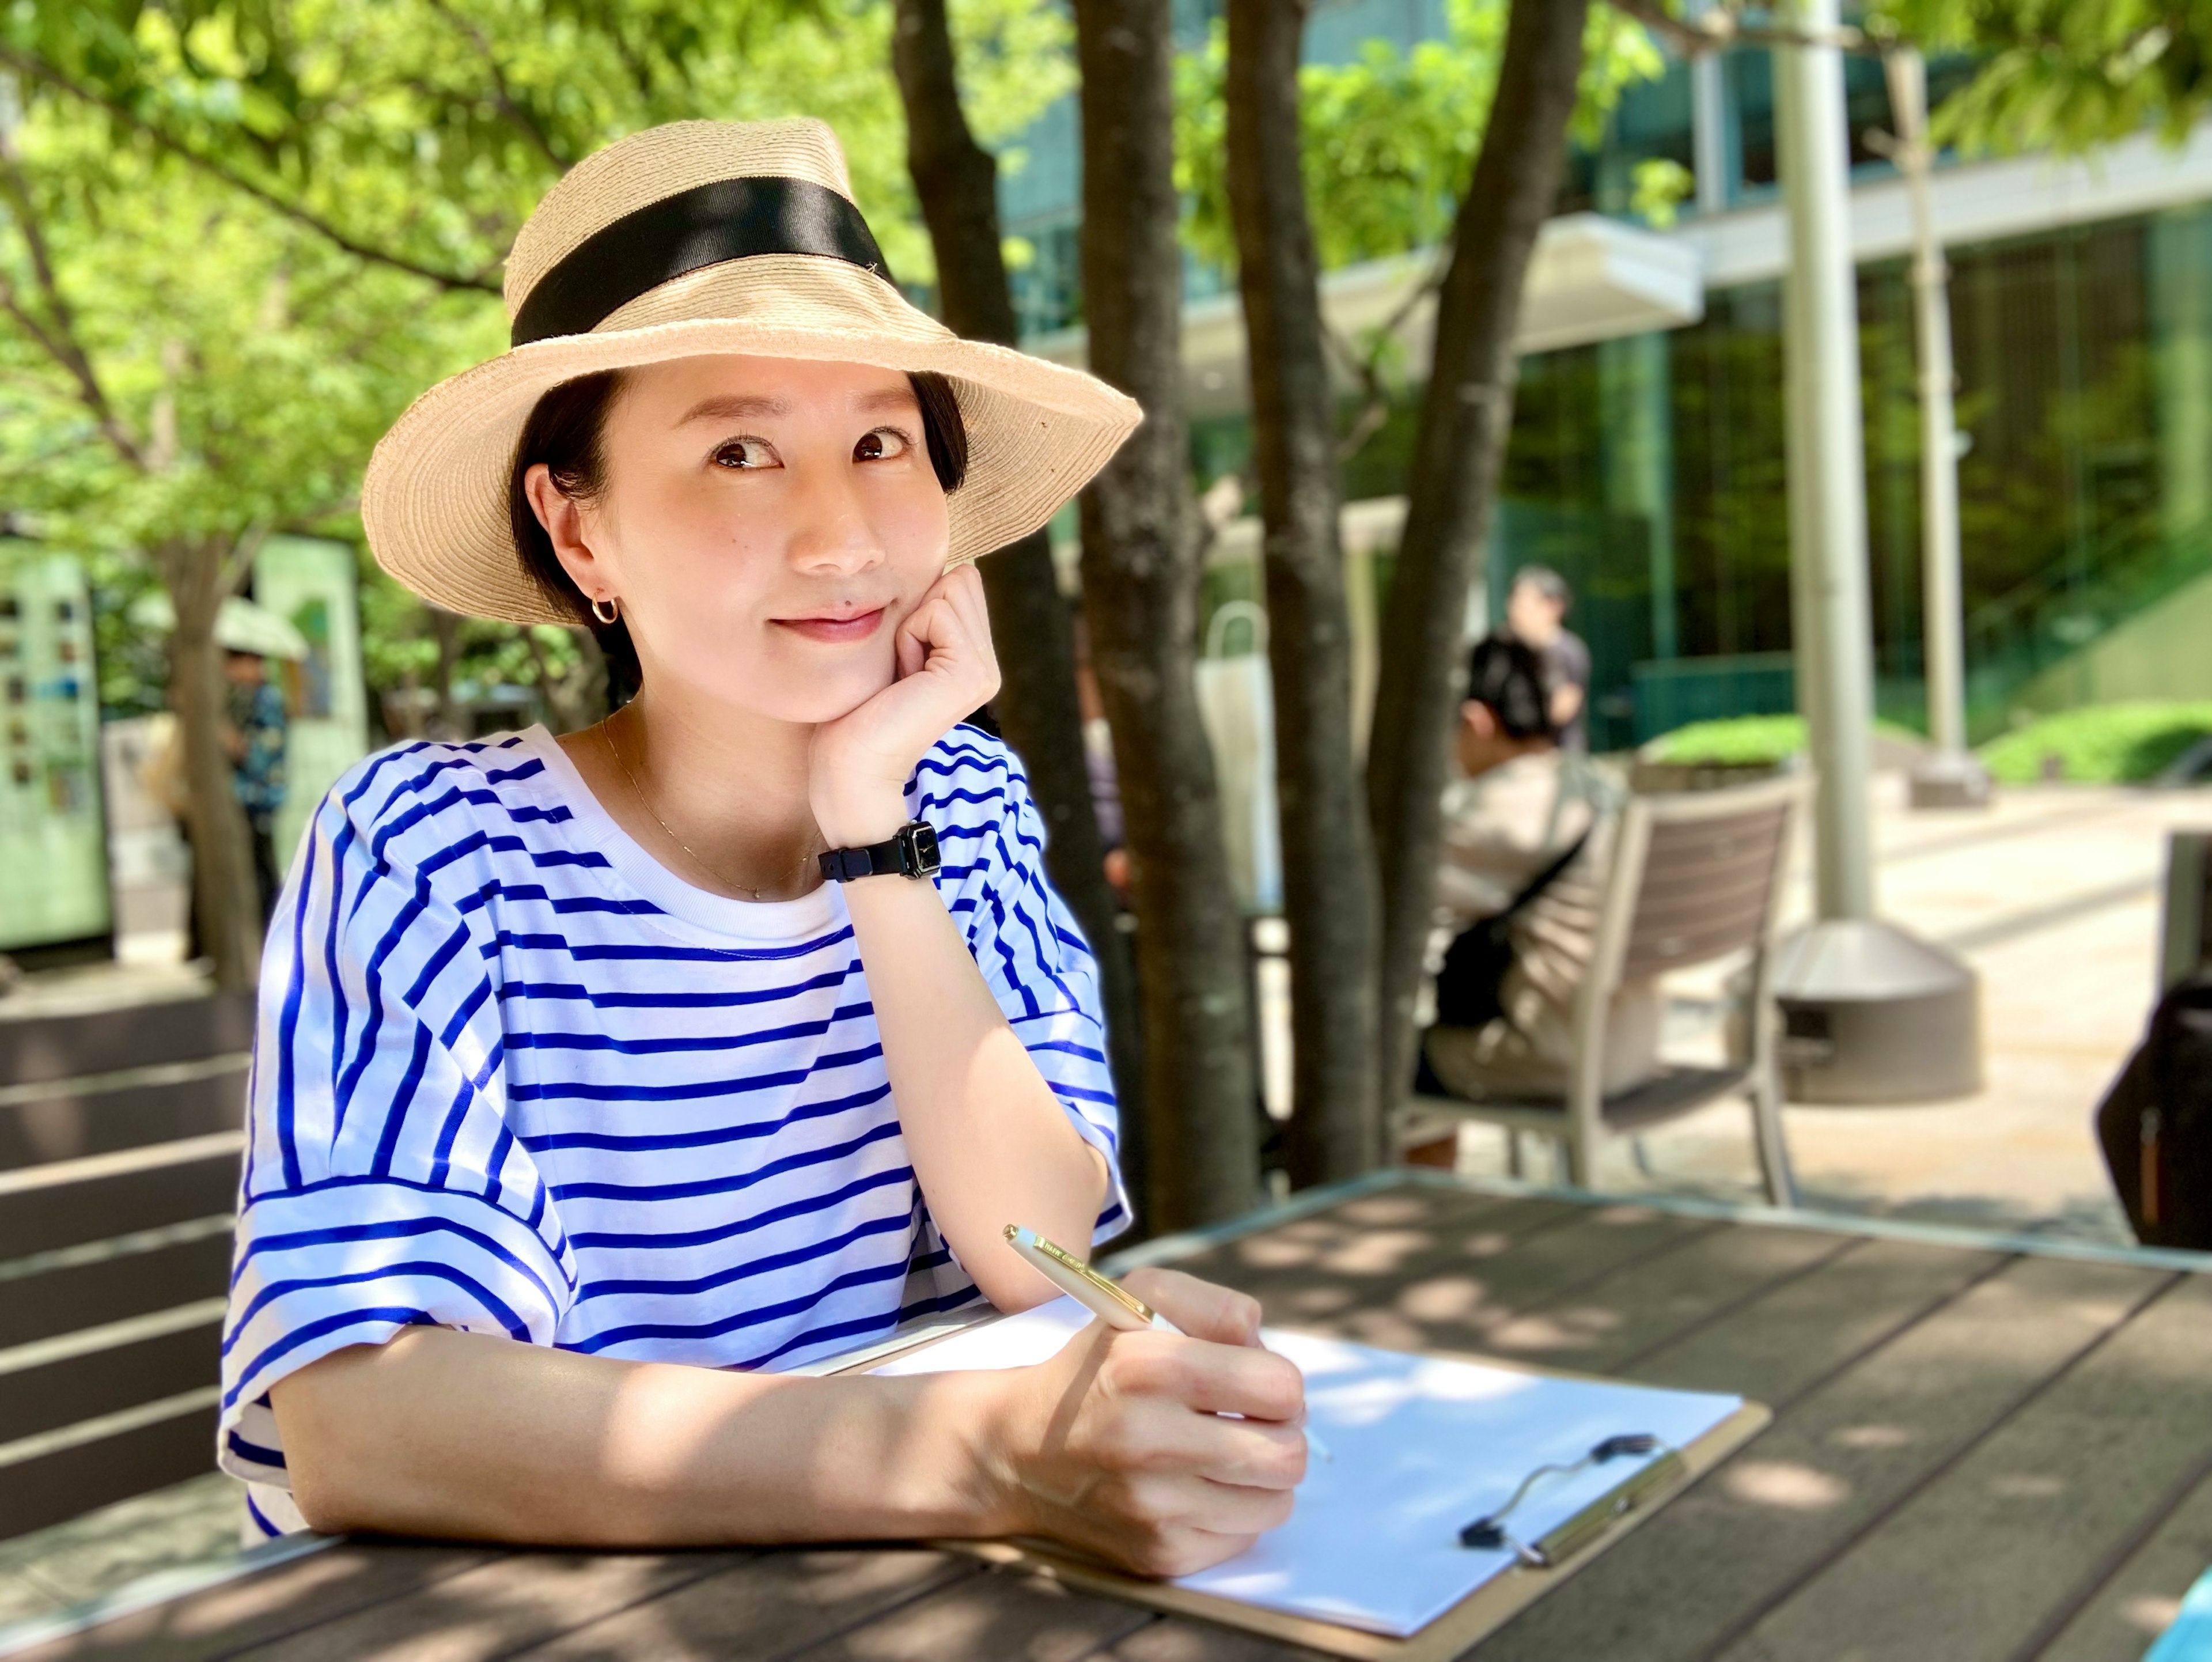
(1459, 455)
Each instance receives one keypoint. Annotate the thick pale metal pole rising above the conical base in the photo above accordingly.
(1828, 499)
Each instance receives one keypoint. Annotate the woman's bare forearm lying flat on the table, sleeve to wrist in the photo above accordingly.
(463, 1435)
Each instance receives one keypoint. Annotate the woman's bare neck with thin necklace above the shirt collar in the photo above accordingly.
(716, 793)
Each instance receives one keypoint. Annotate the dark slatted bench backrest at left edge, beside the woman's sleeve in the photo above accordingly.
(121, 1139)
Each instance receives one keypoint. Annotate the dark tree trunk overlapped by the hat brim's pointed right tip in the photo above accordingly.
(1140, 603)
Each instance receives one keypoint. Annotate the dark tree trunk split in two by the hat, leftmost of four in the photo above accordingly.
(1039, 711)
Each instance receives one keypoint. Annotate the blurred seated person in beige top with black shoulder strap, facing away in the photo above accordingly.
(1527, 844)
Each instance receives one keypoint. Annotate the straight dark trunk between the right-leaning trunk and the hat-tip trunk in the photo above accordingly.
(1328, 855)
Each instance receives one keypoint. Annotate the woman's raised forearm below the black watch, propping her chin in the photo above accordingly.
(990, 1141)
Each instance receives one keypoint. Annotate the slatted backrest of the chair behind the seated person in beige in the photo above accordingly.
(1698, 877)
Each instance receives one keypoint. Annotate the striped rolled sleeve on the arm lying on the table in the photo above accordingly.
(384, 1185)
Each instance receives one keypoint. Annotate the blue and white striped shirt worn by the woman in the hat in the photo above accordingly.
(514, 1077)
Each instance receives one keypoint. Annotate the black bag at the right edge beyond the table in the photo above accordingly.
(2156, 1123)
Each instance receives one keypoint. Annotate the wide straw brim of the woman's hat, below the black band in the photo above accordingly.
(437, 495)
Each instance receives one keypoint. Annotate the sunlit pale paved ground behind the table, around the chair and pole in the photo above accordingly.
(2054, 897)
